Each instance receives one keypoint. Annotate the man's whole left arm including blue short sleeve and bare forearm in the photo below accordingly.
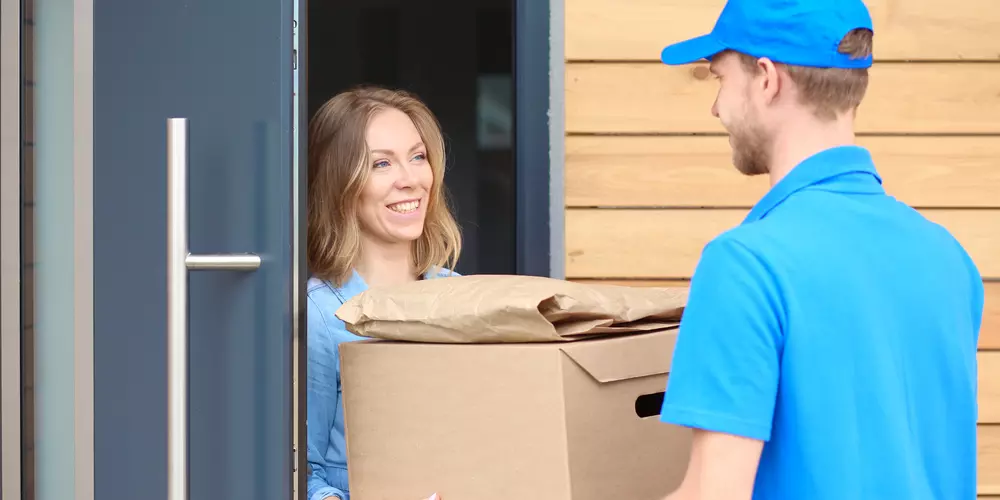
(725, 371)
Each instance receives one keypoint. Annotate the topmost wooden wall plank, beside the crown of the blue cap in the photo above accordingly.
(910, 30)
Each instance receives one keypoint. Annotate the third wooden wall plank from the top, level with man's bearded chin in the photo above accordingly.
(616, 171)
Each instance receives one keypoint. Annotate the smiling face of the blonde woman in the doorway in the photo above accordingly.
(394, 200)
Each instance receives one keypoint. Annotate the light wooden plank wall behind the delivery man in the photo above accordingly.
(648, 176)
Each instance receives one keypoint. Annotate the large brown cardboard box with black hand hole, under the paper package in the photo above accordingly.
(541, 421)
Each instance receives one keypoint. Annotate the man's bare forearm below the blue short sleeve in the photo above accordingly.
(722, 467)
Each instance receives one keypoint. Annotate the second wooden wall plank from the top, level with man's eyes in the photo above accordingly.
(652, 98)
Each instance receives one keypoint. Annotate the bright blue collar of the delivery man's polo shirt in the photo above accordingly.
(832, 166)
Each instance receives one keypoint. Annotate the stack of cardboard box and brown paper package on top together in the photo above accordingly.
(511, 387)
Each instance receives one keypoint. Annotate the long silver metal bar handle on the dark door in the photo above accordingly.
(179, 262)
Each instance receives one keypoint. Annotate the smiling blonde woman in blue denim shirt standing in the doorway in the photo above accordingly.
(376, 217)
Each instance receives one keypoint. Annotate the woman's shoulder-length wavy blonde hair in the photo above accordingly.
(339, 167)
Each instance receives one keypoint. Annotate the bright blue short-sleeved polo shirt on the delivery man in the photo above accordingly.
(839, 326)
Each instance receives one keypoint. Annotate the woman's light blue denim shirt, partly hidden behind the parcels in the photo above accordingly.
(327, 453)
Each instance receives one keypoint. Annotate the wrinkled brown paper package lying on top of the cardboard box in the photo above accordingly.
(509, 308)
